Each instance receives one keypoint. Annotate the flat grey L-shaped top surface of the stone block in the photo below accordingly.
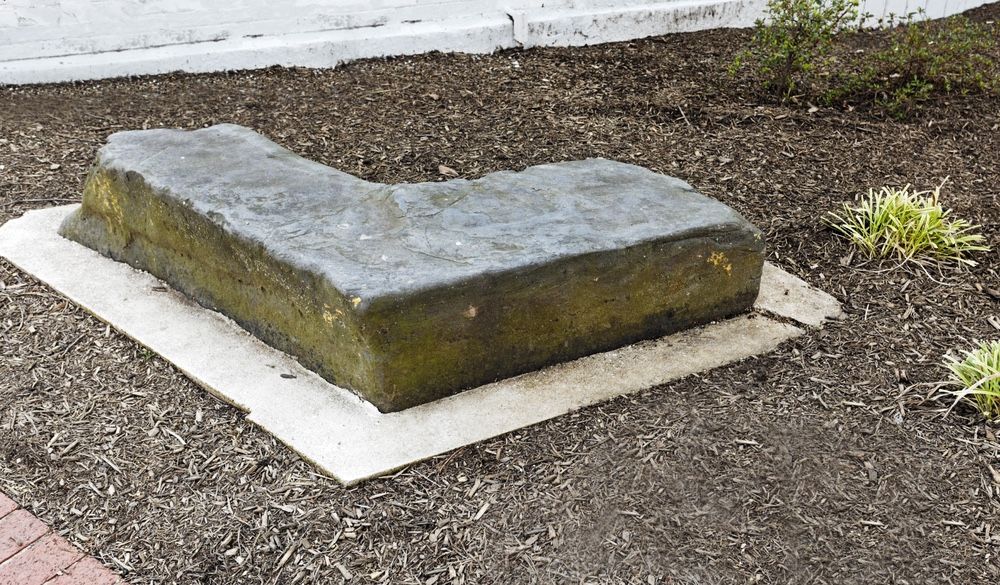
(373, 240)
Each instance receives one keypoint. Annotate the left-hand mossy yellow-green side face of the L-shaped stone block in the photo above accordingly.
(288, 306)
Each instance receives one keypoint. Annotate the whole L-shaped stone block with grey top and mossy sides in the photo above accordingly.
(408, 293)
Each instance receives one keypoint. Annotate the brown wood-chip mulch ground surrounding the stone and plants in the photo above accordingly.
(808, 465)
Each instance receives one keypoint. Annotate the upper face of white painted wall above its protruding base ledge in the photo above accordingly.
(47, 28)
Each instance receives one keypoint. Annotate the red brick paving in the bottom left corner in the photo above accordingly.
(31, 554)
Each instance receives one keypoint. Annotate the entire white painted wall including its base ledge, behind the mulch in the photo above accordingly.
(58, 40)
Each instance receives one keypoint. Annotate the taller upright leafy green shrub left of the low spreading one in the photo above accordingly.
(793, 41)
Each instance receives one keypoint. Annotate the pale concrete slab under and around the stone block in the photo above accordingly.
(341, 433)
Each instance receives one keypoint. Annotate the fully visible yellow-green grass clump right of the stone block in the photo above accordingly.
(908, 225)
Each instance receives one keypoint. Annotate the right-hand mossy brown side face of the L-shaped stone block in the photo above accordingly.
(495, 327)
